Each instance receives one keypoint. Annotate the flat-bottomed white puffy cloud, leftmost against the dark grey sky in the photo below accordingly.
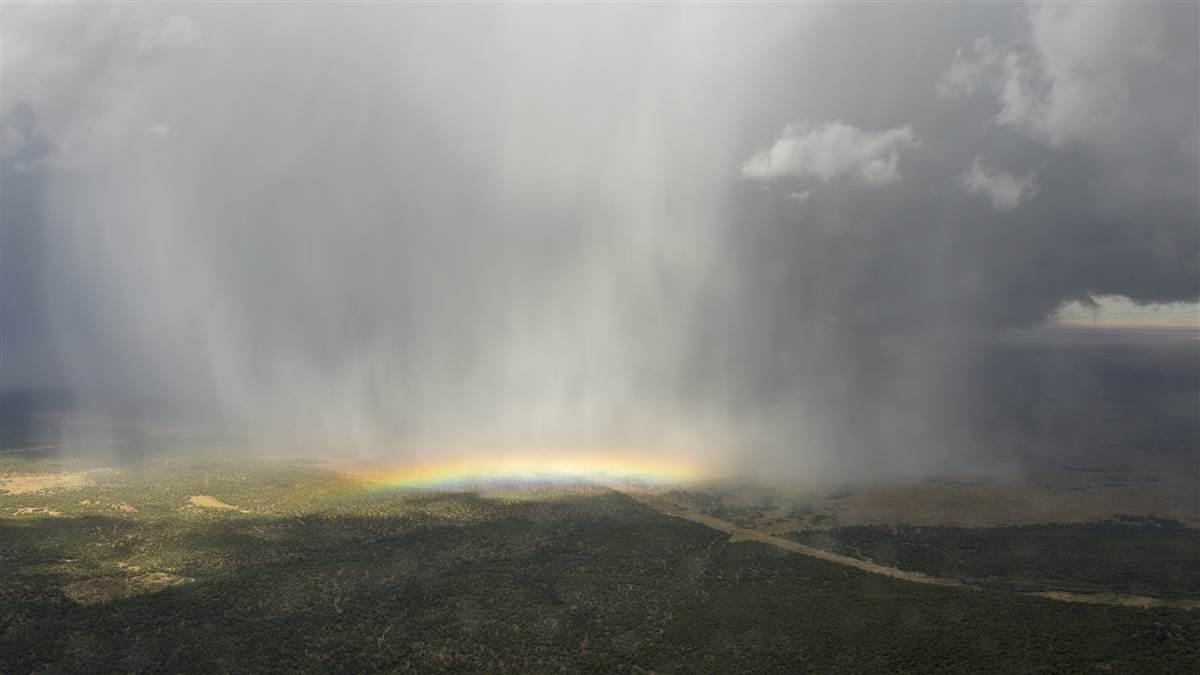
(832, 151)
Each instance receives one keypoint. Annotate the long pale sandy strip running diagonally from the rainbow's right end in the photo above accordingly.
(739, 534)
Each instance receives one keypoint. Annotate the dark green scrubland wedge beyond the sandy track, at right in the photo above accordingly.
(1127, 555)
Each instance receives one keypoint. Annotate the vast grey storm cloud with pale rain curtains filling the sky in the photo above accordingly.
(778, 232)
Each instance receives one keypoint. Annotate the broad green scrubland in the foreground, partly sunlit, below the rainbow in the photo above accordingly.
(311, 572)
